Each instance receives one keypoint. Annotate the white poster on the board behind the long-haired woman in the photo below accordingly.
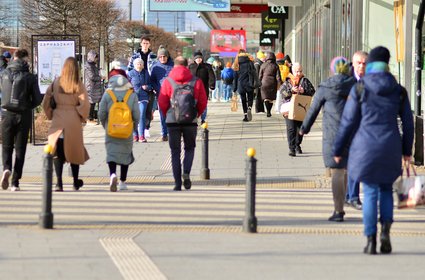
(50, 58)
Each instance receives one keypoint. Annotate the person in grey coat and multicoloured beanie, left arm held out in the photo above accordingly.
(331, 96)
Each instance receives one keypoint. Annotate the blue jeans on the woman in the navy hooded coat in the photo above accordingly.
(374, 194)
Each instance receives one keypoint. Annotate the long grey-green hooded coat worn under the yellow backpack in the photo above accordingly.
(118, 150)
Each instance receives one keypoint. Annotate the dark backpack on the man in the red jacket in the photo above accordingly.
(183, 103)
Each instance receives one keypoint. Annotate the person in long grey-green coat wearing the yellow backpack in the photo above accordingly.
(119, 151)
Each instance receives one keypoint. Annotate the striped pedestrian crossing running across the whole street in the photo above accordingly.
(211, 207)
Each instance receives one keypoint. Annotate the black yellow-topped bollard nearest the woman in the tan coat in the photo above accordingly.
(46, 215)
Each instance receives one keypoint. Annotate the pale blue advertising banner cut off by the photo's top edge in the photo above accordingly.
(190, 5)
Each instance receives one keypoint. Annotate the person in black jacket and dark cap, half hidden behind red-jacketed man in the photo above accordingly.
(204, 72)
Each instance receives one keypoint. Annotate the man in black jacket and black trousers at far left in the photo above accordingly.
(16, 123)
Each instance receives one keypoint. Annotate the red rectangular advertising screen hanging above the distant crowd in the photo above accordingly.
(228, 40)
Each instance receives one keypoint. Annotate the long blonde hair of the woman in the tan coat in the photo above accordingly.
(70, 76)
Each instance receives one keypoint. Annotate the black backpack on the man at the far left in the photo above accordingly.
(15, 95)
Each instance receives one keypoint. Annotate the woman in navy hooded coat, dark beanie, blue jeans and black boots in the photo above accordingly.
(377, 148)
